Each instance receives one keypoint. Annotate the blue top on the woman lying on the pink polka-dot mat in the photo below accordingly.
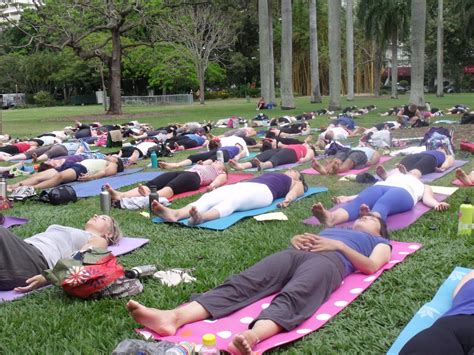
(361, 242)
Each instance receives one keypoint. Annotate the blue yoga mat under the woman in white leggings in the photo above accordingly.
(226, 222)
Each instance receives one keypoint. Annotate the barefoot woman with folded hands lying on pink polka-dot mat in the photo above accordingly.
(303, 276)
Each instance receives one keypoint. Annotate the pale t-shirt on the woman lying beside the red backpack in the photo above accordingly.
(58, 242)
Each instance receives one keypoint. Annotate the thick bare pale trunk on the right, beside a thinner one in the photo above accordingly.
(417, 43)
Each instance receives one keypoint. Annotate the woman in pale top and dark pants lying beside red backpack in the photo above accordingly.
(22, 261)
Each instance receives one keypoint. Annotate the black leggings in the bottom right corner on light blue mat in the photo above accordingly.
(448, 335)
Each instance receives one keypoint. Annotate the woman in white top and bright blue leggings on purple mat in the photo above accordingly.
(397, 194)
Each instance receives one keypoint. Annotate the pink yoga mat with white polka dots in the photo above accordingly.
(226, 328)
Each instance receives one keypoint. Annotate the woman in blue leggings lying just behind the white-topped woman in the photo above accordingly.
(423, 163)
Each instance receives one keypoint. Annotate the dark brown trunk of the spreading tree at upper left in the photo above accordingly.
(115, 69)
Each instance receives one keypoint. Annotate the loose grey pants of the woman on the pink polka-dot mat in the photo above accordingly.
(303, 280)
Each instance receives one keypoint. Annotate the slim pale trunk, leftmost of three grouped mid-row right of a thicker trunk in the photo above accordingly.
(313, 53)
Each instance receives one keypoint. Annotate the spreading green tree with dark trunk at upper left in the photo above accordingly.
(92, 28)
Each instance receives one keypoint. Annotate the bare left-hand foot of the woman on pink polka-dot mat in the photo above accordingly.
(162, 322)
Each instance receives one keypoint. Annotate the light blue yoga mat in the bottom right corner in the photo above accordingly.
(430, 311)
